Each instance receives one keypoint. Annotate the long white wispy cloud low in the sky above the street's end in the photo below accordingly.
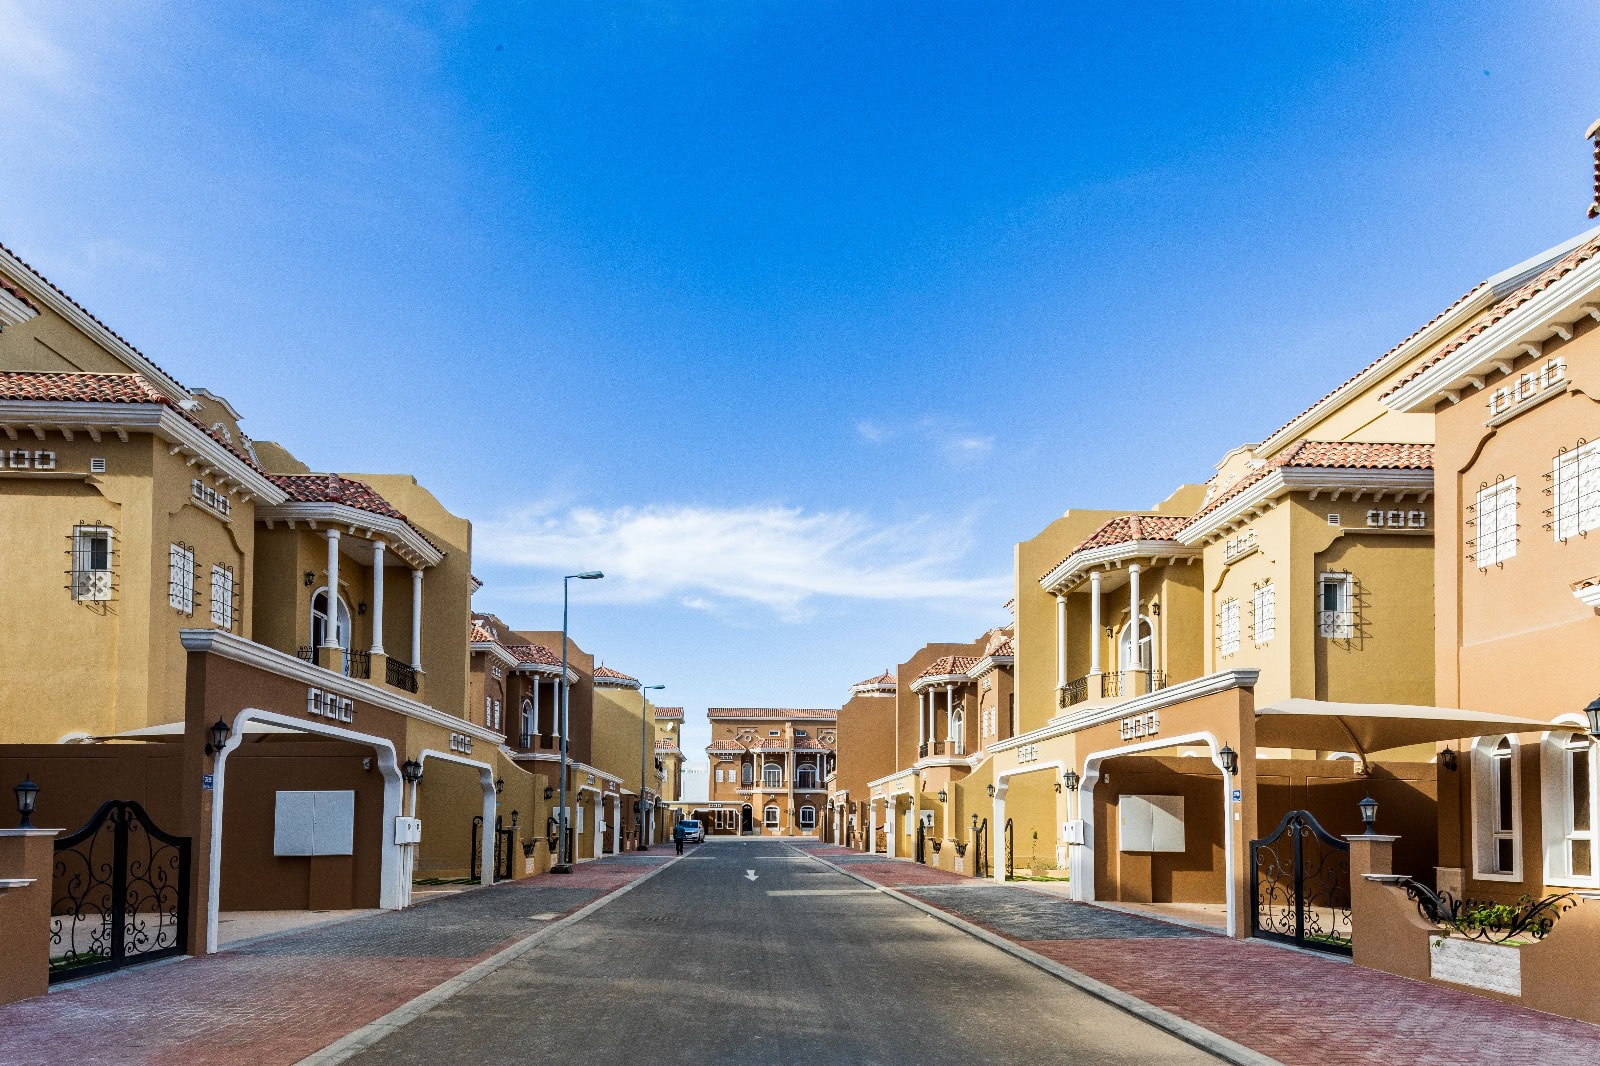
(777, 558)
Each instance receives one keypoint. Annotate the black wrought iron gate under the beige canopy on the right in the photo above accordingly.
(1300, 886)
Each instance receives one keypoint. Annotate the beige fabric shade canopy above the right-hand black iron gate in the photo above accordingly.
(1369, 727)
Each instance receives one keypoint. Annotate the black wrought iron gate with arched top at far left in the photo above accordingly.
(119, 894)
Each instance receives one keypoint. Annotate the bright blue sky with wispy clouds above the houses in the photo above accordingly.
(794, 318)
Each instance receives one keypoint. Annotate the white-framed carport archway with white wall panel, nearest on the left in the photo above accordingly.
(332, 835)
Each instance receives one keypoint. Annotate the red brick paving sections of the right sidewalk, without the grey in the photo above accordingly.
(1303, 1009)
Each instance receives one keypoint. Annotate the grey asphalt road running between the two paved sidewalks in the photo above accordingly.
(801, 966)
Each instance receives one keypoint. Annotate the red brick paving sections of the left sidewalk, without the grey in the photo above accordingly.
(238, 1009)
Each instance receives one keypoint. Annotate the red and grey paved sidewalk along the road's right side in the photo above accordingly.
(1290, 1006)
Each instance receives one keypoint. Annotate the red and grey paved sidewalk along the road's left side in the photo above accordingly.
(284, 998)
